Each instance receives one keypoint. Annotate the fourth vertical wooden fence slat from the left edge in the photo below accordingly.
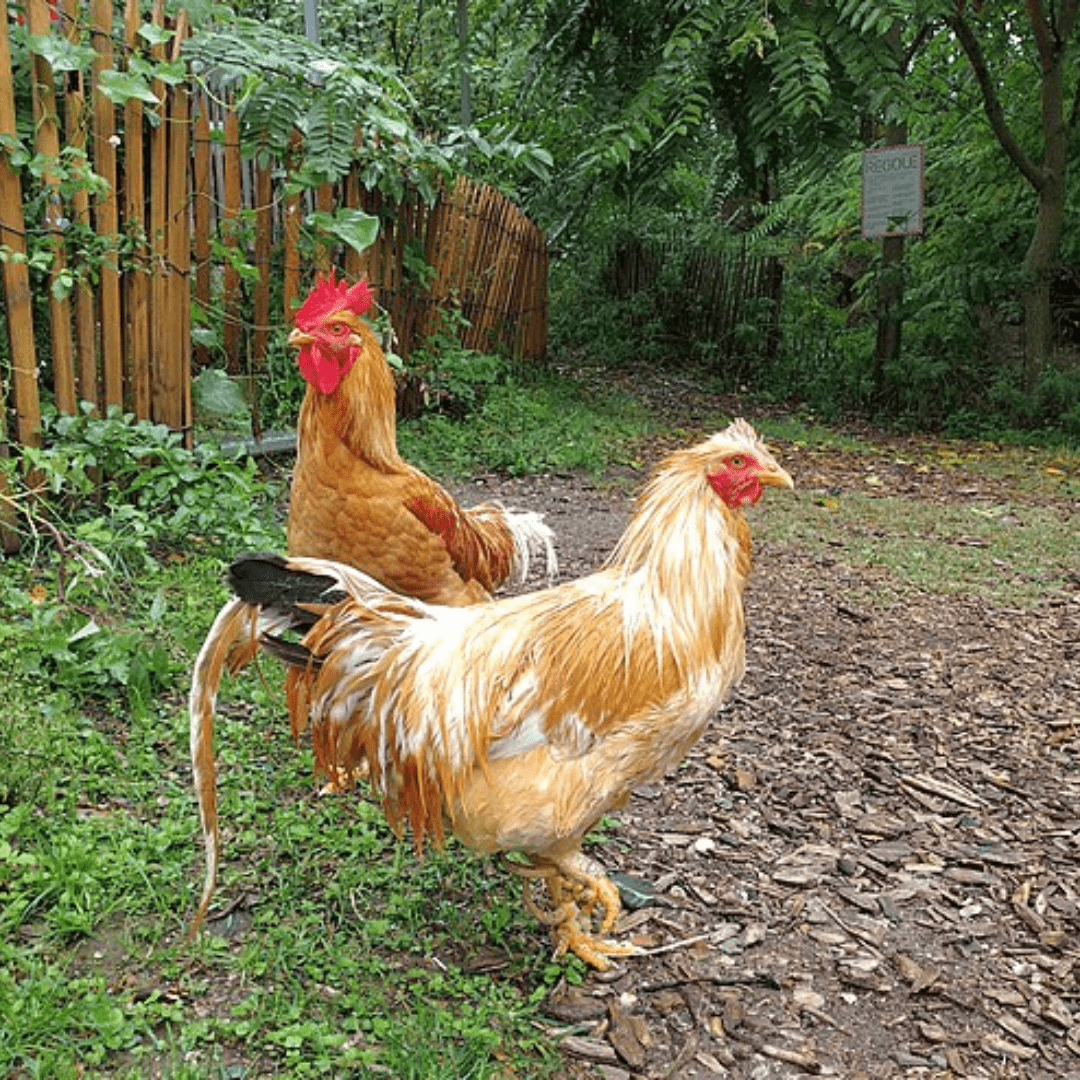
(106, 218)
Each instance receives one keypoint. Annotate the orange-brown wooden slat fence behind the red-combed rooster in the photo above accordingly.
(181, 206)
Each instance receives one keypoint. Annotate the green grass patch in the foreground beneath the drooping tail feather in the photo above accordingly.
(346, 952)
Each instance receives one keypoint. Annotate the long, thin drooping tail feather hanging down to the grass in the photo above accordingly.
(219, 651)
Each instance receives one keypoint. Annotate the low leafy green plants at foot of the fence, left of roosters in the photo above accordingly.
(102, 502)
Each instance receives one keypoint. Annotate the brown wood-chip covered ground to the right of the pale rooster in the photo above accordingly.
(869, 866)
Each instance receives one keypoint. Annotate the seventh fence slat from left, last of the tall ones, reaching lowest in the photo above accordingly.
(178, 306)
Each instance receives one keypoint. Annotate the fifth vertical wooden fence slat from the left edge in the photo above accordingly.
(138, 280)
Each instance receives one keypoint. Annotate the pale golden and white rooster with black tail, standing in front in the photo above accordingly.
(515, 725)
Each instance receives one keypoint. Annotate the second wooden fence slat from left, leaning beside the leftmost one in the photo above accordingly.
(48, 145)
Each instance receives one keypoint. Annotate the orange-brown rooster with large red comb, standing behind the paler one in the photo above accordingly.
(354, 498)
